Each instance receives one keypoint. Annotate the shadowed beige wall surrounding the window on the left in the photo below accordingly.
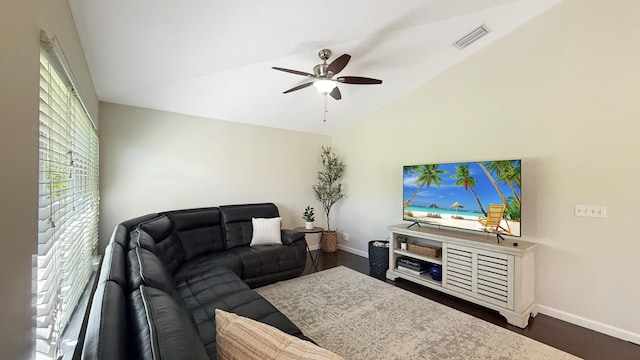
(19, 69)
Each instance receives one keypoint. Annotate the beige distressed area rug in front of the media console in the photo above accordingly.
(360, 317)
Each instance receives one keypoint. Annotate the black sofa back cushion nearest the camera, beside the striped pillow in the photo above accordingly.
(162, 329)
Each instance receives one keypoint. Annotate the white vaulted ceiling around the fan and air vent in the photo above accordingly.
(213, 58)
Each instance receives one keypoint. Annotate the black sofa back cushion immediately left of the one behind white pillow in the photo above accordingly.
(199, 231)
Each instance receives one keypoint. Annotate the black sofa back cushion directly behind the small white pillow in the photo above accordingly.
(236, 221)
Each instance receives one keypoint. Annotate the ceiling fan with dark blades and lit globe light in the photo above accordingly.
(323, 75)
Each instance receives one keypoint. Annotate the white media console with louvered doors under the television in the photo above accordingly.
(475, 267)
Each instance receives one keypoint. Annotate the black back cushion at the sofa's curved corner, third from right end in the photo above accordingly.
(167, 246)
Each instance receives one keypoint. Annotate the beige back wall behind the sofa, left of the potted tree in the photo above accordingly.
(154, 161)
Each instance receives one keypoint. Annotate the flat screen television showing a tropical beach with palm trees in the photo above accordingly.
(477, 196)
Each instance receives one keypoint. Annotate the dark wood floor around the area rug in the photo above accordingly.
(562, 335)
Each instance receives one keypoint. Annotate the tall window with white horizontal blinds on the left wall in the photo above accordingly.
(67, 202)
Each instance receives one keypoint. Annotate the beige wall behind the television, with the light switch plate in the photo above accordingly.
(561, 93)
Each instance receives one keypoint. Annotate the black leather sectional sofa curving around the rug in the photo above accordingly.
(163, 275)
